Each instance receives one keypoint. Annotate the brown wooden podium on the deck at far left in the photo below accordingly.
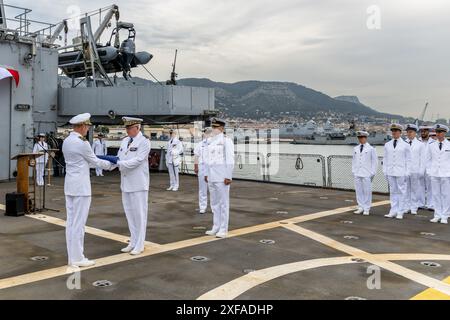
(24, 162)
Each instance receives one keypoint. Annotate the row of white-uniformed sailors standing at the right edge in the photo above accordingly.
(417, 170)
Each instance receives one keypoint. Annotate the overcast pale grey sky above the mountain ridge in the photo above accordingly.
(322, 44)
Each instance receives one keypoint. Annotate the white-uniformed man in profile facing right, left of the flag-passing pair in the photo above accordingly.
(79, 158)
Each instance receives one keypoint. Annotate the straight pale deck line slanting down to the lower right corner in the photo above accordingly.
(393, 267)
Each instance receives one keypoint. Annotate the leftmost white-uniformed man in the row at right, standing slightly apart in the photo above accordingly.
(364, 168)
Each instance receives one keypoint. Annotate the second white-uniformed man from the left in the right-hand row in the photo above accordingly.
(397, 157)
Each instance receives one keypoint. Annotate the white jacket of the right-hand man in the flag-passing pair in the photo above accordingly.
(133, 164)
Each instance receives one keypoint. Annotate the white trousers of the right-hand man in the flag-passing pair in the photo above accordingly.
(135, 205)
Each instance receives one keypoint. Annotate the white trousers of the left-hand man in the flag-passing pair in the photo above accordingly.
(77, 213)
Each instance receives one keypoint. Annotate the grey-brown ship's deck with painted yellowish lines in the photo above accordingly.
(311, 258)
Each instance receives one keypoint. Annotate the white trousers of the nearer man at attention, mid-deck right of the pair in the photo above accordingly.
(220, 205)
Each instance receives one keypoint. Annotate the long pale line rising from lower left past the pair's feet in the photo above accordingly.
(155, 249)
